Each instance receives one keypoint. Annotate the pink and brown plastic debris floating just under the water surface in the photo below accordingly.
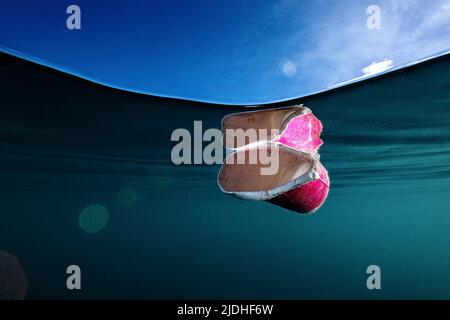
(300, 182)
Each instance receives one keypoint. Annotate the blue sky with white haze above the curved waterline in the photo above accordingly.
(234, 52)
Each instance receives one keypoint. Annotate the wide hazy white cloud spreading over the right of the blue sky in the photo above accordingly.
(341, 49)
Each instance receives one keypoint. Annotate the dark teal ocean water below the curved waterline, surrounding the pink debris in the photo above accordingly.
(86, 179)
